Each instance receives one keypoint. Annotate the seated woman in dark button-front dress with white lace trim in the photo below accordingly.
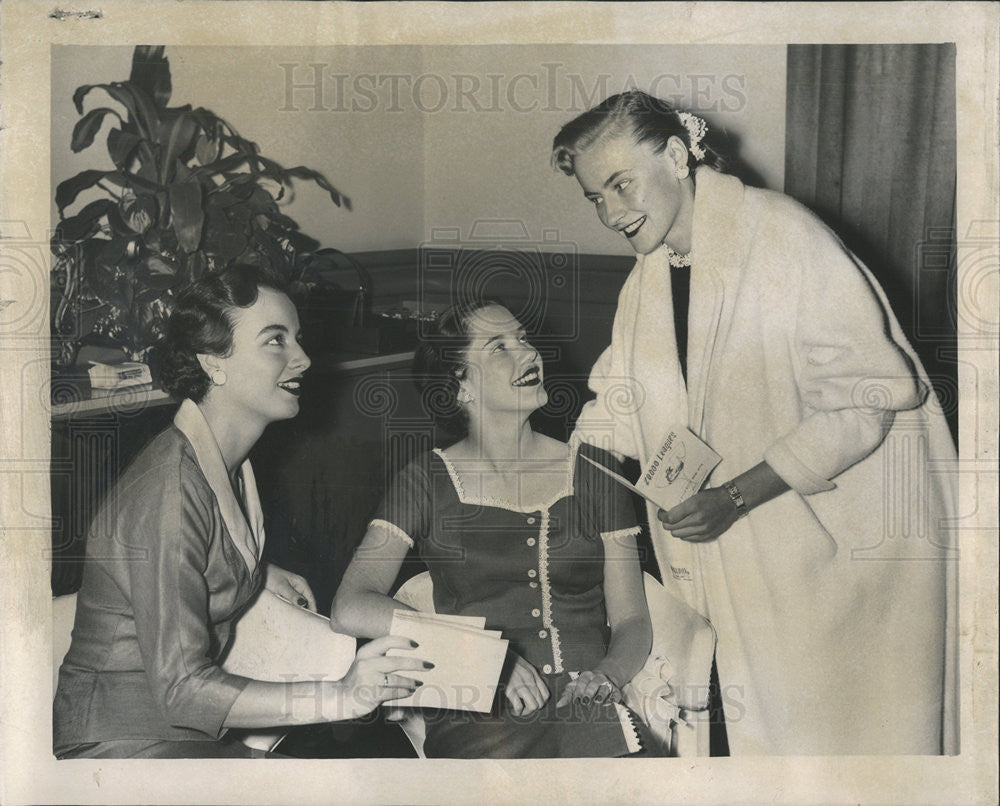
(518, 528)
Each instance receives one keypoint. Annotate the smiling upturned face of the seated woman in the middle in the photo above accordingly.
(503, 371)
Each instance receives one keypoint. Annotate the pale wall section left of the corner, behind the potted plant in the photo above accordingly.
(371, 157)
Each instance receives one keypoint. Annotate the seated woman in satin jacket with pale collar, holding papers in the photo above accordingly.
(174, 557)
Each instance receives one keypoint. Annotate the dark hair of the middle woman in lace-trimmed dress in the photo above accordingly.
(439, 364)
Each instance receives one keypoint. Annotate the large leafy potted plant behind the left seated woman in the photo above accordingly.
(186, 195)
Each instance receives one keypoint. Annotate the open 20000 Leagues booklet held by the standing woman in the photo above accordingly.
(676, 469)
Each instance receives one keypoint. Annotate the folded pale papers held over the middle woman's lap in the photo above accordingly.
(467, 660)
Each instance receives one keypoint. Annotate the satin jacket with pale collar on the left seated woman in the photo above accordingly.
(171, 562)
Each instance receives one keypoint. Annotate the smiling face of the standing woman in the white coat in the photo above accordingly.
(636, 191)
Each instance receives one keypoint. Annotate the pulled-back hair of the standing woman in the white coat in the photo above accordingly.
(647, 118)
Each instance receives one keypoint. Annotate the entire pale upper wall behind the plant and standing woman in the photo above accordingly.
(425, 139)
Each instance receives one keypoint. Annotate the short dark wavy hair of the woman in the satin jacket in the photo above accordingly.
(202, 323)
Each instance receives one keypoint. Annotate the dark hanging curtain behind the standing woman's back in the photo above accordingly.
(870, 147)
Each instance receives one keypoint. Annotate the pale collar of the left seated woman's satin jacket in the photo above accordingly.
(246, 532)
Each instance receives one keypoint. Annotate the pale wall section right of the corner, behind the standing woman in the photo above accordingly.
(495, 165)
